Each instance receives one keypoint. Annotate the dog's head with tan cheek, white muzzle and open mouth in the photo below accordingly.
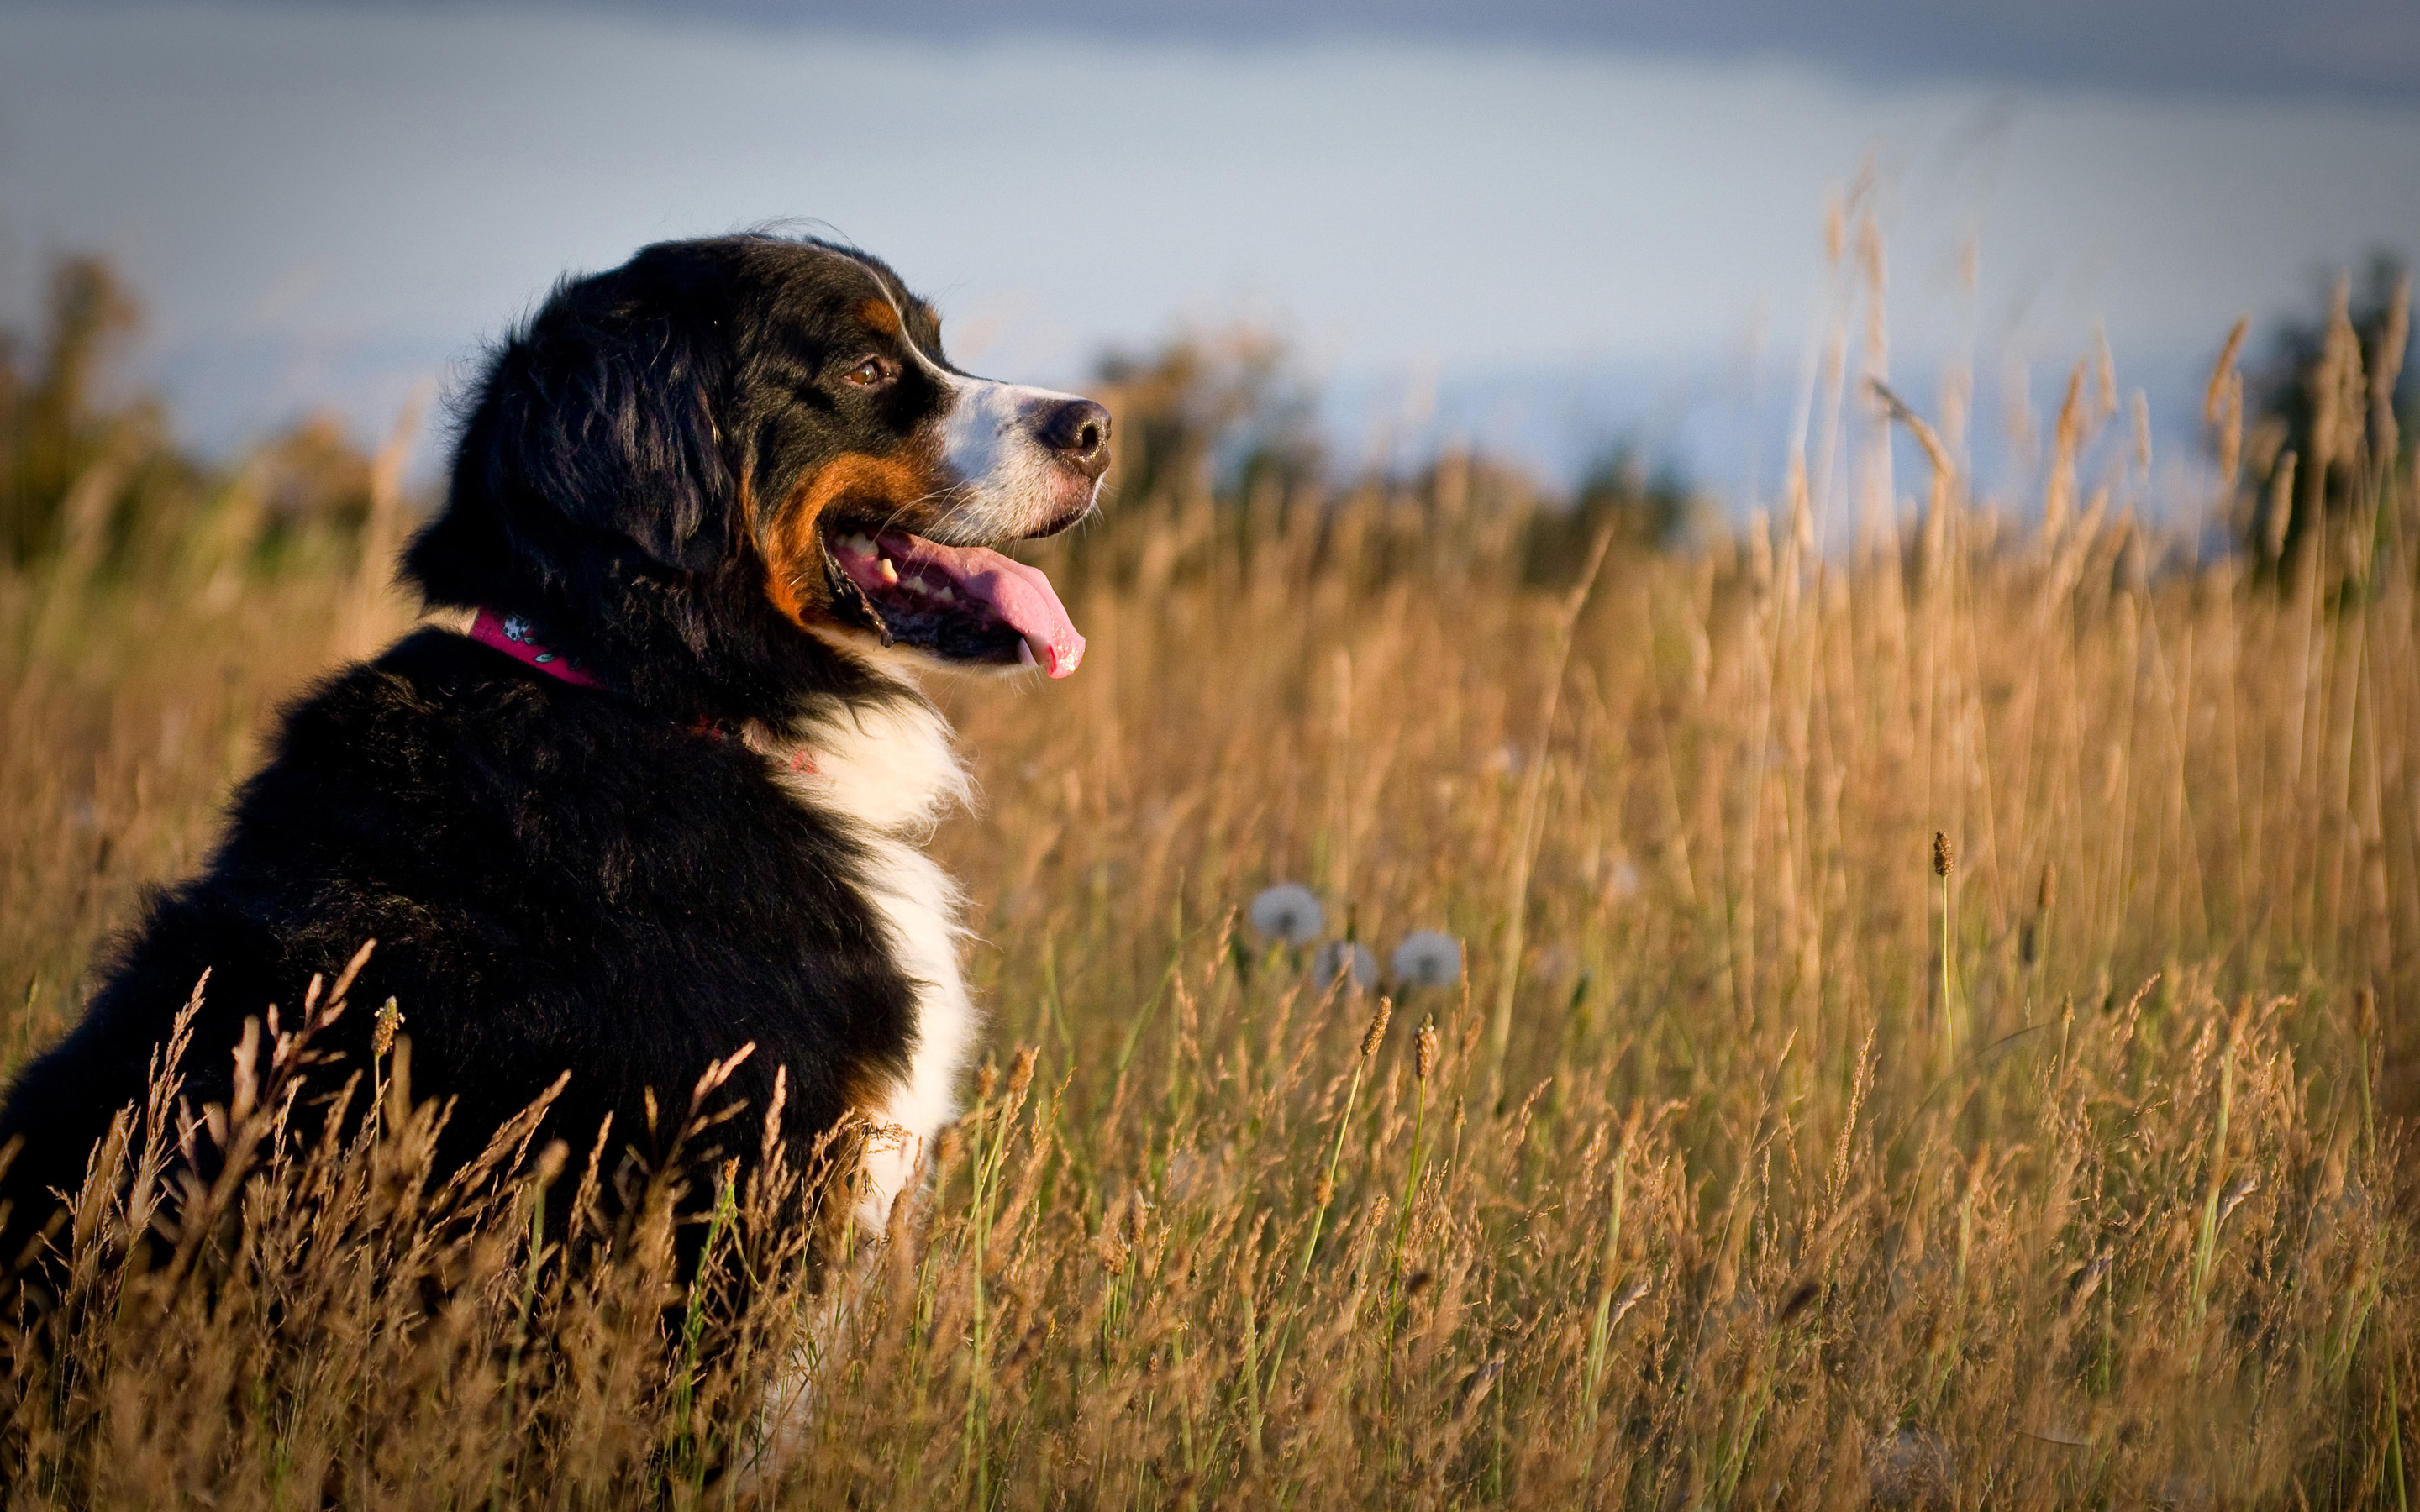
(759, 439)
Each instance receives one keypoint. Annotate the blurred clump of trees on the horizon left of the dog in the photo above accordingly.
(93, 473)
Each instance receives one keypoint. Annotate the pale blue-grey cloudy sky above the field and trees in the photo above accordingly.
(1540, 231)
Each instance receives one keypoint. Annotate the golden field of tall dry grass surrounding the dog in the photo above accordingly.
(1763, 1153)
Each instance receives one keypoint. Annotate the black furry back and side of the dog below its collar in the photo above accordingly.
(555, 882)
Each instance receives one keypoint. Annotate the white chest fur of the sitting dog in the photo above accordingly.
(892, 773)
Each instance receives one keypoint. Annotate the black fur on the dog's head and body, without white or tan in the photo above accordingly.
(592, 879)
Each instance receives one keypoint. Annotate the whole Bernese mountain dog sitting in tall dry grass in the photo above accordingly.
(713, 516)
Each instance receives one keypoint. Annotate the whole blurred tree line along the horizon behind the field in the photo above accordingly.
(1218, 444)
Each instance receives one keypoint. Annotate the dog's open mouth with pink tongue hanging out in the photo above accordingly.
(960, 604)
